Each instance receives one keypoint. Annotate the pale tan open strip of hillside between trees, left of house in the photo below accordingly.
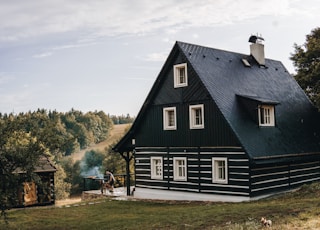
(115, 134)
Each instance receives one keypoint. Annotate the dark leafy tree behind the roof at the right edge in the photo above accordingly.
(306, 59)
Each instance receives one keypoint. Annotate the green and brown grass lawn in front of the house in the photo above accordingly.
(295, 210)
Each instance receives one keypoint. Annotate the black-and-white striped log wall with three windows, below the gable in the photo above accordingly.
(199, 171)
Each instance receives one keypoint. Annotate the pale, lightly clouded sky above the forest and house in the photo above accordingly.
(105, 55)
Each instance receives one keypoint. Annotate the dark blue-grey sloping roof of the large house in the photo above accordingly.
(226, 78)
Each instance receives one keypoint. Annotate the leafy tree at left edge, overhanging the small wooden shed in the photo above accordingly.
(19, 152)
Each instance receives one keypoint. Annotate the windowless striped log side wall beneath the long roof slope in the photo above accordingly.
(267, 179)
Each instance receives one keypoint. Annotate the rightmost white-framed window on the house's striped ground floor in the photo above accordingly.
(219, 176)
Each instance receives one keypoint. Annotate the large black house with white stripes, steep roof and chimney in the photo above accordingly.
(220, 125)
